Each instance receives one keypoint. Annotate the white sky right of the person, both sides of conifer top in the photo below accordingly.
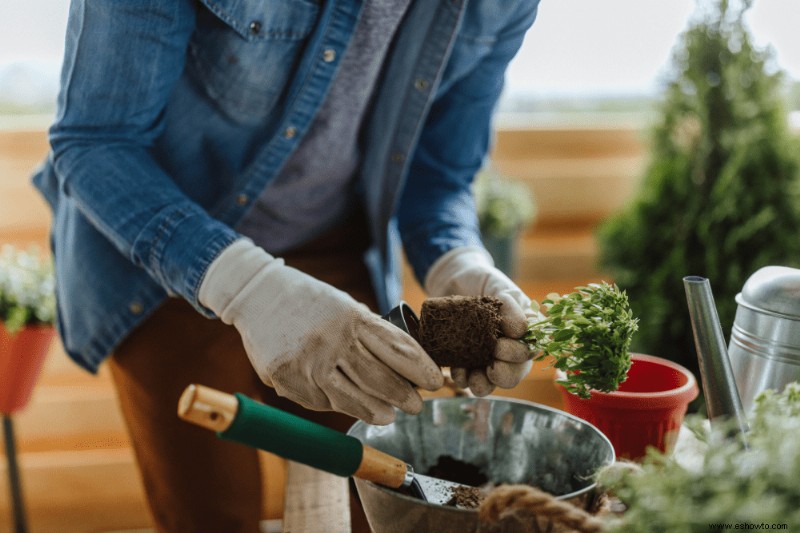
(624, 46)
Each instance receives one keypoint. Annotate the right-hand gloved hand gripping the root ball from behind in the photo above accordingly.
(470, 271)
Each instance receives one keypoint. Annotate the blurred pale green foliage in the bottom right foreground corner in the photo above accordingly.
(730, 484)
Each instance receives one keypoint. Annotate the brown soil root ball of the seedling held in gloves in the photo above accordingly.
(460, 331)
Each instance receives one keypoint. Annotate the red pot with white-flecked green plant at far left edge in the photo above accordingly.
(27, 316)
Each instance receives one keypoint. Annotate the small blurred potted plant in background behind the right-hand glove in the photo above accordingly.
(505, 207)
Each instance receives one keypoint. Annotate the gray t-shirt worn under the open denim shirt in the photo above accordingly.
(315, 189)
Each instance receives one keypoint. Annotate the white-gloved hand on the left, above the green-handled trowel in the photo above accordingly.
(313, 343)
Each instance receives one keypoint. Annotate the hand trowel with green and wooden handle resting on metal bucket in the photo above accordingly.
(246, 421)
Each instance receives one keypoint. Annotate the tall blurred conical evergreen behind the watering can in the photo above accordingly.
(720, 196)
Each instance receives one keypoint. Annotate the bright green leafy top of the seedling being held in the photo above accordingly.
(588, 335)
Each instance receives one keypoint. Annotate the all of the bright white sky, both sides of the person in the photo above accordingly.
(576, 47)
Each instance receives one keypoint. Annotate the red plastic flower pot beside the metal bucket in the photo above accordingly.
(647, 410)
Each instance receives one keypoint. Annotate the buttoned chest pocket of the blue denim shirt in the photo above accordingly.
(243, 52)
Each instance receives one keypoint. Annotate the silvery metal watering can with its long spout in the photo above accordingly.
(764, 349)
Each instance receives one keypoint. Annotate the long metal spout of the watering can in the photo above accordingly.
(721, 395)
